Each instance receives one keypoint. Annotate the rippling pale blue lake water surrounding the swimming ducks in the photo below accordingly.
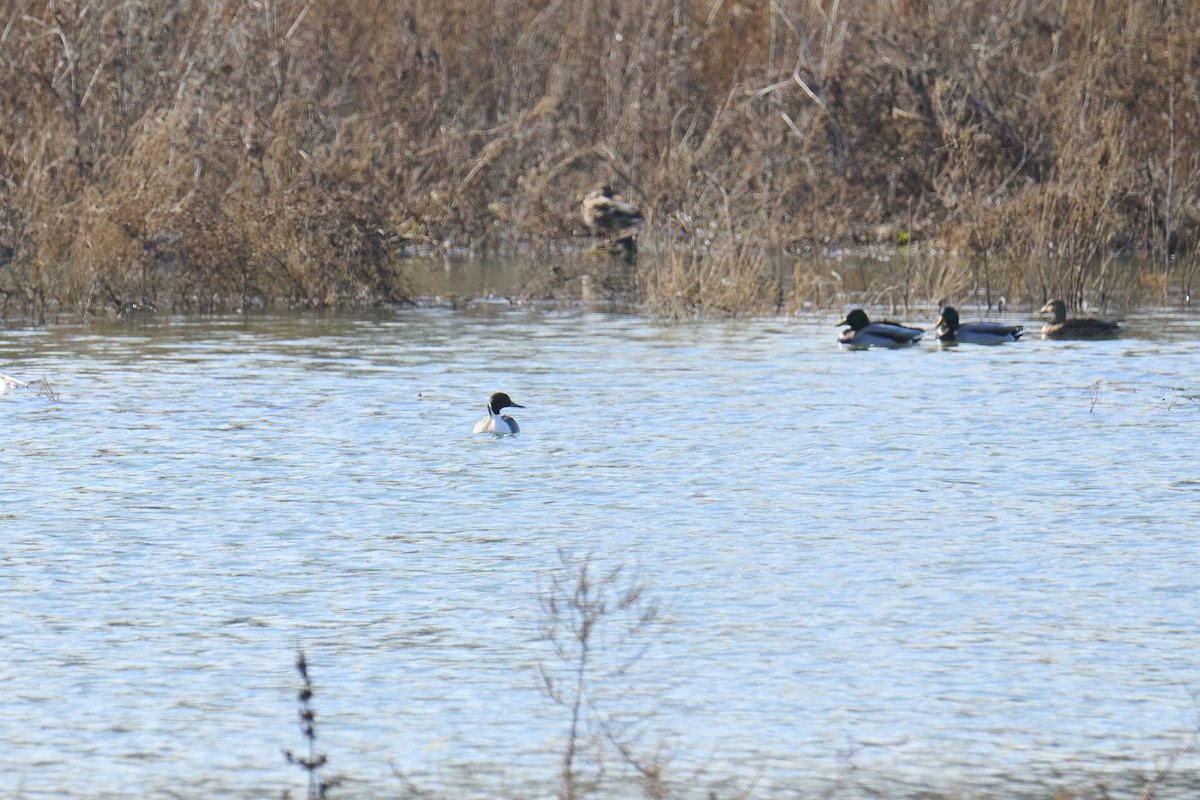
(971, 572)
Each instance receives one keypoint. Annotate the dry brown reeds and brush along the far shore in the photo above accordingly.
(237, 154)
